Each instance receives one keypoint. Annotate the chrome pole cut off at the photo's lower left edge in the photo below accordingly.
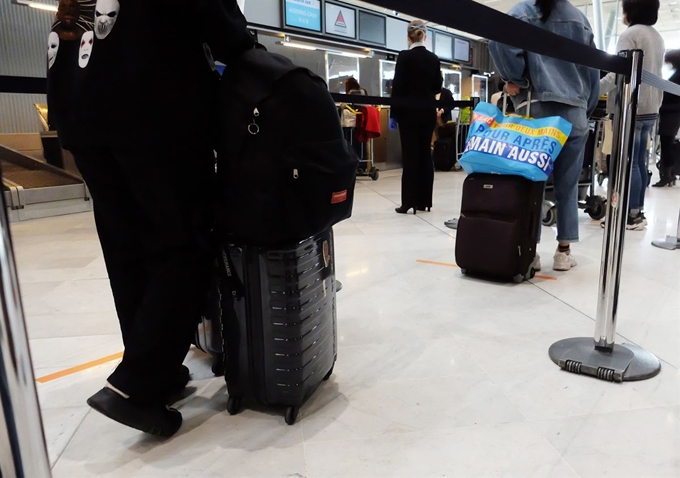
(19, 407)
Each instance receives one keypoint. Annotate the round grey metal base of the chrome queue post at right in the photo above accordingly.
(625, 363)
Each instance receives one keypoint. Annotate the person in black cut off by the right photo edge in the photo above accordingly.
(669, 124)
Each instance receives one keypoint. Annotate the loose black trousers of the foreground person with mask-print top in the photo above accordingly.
(153, 217)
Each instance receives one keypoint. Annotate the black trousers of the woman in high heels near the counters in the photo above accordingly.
(417, 179)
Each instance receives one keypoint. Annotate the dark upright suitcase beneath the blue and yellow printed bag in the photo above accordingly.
(498, 227)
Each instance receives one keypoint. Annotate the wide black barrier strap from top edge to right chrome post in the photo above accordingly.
(480, 20)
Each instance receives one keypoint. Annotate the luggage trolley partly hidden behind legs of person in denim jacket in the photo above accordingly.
(595, 206)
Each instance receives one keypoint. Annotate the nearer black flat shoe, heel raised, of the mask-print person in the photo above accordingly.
(156, 419)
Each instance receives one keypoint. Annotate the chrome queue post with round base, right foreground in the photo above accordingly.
(602, 357)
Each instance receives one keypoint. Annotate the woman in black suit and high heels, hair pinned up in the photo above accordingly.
(417, 77)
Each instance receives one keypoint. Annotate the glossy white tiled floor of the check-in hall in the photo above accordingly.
(438, 375)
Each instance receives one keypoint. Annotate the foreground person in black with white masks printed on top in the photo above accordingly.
(131, 89)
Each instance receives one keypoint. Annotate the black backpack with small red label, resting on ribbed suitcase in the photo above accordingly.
(284, 170)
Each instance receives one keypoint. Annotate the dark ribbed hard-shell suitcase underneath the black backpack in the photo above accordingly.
(281, 336)
